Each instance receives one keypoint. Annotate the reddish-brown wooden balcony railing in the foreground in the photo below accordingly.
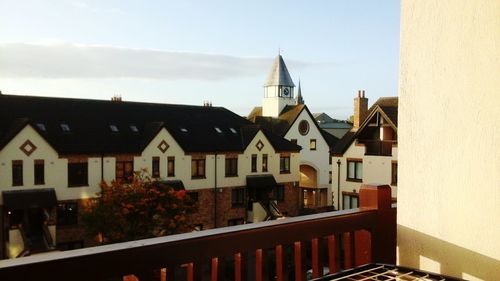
(275, 250)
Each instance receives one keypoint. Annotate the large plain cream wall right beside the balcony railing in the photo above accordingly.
(449, 136)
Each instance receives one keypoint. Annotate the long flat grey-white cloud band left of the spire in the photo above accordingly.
(62, 60)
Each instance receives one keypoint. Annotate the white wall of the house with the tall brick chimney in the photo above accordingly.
(376, 170)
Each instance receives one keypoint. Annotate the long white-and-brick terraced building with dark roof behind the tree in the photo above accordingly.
(54, 153)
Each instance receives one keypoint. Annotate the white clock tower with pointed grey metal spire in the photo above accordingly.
(278, 89)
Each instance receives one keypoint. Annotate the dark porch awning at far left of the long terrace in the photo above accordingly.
(29, 198)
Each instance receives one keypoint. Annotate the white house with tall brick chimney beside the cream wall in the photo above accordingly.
(368, 153)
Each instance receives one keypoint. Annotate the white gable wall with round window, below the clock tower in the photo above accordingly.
(319, 158)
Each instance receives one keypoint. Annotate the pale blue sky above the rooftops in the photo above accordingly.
(191, 51)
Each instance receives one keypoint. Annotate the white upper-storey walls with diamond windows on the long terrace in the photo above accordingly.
(56, 175)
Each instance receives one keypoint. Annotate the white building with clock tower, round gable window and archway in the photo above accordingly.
(287, 116)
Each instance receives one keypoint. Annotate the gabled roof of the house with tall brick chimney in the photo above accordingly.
(387, 106)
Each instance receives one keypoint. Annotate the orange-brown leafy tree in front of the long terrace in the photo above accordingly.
(143, 208)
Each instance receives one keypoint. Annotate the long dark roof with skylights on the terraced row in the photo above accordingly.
(194, 128)
